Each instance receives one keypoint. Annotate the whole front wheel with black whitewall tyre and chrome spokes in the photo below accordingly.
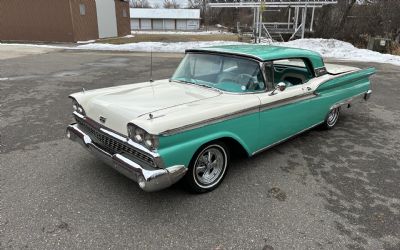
(207, 168)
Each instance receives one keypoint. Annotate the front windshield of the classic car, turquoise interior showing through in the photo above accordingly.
(227, 73)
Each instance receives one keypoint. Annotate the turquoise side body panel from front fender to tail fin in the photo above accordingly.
(261, 129)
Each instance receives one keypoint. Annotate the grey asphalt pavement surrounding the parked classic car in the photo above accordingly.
(336, 189)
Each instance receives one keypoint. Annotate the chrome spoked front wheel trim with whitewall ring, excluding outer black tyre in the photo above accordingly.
(210, 166)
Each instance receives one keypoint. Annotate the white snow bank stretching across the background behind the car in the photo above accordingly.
(326, 47)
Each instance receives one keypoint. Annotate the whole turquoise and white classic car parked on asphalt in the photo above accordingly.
(223, 98)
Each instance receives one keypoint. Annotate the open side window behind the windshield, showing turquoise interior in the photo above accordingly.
(293, 71)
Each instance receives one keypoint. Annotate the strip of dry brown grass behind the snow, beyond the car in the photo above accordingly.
(169, 38)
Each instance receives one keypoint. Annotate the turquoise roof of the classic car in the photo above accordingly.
(265, 52)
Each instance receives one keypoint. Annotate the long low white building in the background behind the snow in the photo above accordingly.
(164, 19)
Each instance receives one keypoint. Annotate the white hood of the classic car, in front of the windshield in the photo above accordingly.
(119, 105)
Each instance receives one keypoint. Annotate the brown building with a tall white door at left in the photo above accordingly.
(63, 20)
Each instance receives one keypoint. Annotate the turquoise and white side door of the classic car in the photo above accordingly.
(287, 112)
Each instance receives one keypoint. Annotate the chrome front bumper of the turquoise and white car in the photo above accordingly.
(149, 179)
